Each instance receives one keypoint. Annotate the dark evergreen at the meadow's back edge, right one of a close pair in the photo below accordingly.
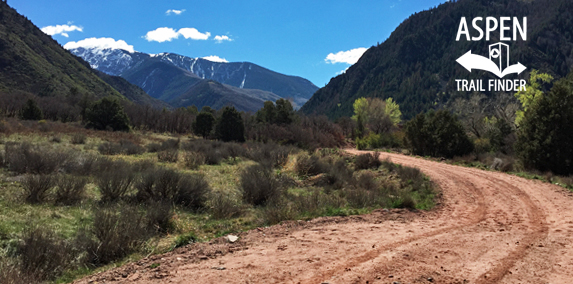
(230, 126)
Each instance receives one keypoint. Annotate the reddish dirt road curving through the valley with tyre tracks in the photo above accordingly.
(491, 228)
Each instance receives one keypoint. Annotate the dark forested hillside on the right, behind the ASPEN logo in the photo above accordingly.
(417, 65)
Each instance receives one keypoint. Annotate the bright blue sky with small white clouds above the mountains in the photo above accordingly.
(310, 38)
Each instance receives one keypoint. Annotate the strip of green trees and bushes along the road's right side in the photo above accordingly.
(528, 133)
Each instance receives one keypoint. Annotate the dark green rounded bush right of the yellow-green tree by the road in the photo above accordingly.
(437, 134)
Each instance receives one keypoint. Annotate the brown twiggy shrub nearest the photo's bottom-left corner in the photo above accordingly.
(43, 254)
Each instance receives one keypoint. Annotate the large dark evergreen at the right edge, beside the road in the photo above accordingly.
(545, 136)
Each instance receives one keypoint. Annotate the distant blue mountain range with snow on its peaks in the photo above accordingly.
(135, 67)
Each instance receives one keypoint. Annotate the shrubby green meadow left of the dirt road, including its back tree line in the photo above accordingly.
(74, 200)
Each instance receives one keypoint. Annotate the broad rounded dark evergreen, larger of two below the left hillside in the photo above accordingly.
(107, 113)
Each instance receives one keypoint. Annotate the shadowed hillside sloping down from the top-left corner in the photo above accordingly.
(34, 63)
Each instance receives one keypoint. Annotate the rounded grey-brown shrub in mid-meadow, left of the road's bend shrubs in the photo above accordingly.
(259, 185)
